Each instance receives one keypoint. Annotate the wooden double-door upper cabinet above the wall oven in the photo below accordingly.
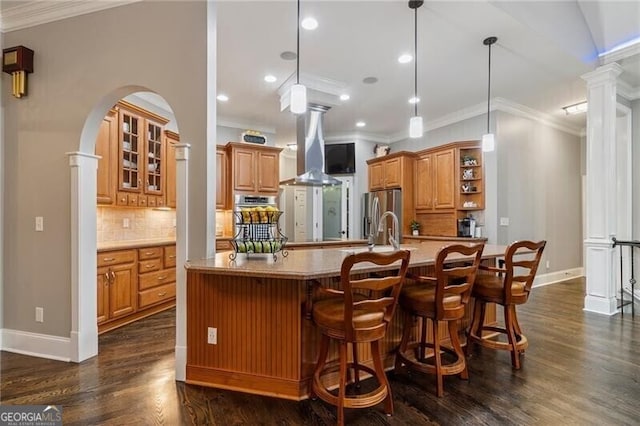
(254, 169)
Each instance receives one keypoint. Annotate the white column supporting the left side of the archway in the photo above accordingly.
(84, 327)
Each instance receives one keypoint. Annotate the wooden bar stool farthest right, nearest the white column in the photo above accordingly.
(508, 286)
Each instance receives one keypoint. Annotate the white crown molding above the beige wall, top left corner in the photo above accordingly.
(32, 13)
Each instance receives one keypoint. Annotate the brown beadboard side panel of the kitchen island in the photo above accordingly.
(258, 325)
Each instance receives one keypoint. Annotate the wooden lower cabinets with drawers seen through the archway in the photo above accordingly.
(133, 284)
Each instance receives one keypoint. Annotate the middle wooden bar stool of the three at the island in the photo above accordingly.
(439, 298)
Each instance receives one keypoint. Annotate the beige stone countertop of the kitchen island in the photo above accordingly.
(313, 264)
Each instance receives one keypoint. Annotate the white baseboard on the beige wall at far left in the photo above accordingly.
(34, 344)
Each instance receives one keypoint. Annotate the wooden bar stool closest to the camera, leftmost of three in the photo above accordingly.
(358, 313)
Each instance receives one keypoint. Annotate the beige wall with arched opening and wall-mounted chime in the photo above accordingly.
(82, 63)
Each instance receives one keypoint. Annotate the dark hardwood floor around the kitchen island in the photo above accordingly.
(580, 368)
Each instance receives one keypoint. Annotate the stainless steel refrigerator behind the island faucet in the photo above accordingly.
(373, 205)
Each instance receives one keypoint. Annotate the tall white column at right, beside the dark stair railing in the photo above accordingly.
(601, 203)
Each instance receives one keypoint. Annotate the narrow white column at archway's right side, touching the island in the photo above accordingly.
(182, 242)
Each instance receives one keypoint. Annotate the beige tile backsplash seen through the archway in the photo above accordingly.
(123, 224)
